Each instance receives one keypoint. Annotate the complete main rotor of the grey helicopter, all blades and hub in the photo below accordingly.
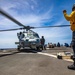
(20, 24)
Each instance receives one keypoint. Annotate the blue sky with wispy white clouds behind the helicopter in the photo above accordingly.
(36, 13)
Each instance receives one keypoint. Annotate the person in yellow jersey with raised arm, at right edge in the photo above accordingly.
(71, 18)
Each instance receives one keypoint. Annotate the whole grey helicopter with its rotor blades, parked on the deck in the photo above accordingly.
(29, 37)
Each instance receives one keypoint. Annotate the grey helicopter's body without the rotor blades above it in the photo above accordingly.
(28, 39)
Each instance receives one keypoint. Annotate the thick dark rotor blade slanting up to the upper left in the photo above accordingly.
(11, 18)
